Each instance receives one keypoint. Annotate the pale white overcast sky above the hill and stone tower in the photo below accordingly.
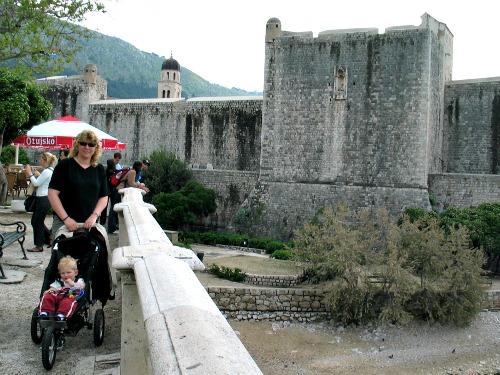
(223, 40)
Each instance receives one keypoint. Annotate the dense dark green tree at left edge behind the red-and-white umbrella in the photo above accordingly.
(21, 107)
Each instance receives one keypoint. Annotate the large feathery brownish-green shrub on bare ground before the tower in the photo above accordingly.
(380, 270)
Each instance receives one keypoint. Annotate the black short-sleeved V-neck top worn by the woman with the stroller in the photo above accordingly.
(79, 188)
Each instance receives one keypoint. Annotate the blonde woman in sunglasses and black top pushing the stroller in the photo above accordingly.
(78, 191)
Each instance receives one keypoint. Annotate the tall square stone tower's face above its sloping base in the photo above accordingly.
(370, 128)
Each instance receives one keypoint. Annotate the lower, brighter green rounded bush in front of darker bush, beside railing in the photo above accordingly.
(184, 206)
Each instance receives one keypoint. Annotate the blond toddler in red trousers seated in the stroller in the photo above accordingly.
(63, 294)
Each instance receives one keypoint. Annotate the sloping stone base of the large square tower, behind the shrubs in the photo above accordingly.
(281, 207)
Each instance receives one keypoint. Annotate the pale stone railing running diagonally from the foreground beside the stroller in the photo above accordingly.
(170, 325)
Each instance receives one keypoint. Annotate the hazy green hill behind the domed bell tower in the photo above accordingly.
(134, 74)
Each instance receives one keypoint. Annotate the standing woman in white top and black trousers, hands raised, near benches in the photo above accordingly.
(41, 234)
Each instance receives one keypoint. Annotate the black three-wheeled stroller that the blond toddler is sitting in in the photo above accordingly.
(89, 249)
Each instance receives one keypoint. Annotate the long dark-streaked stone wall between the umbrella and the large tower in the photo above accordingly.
(221, 132)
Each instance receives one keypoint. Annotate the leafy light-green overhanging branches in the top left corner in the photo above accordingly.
(40, 37)
